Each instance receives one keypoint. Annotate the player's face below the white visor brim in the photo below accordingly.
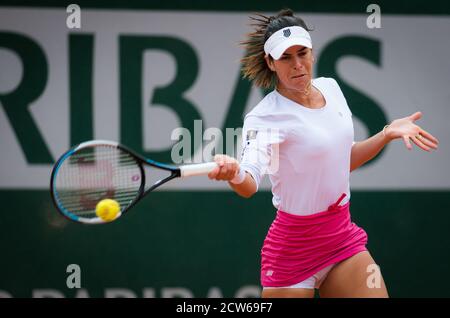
(294, 68)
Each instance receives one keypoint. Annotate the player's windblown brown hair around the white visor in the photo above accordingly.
(254, 66)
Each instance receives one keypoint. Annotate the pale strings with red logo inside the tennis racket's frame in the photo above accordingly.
(93, 174)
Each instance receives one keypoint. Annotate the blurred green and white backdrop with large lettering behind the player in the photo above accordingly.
(134, 72)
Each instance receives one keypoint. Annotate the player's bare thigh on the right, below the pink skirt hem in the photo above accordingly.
(357, 276)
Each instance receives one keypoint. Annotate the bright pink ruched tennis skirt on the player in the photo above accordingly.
(296, 247)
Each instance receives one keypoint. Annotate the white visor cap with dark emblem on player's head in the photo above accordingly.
(283, 39)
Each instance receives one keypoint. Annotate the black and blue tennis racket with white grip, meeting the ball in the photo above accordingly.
(99, 169)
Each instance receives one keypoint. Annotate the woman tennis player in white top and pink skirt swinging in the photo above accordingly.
(301, 134)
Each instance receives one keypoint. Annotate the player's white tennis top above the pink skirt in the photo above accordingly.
(305, 151)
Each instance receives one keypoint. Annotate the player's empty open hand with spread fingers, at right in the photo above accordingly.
(406, 129)
